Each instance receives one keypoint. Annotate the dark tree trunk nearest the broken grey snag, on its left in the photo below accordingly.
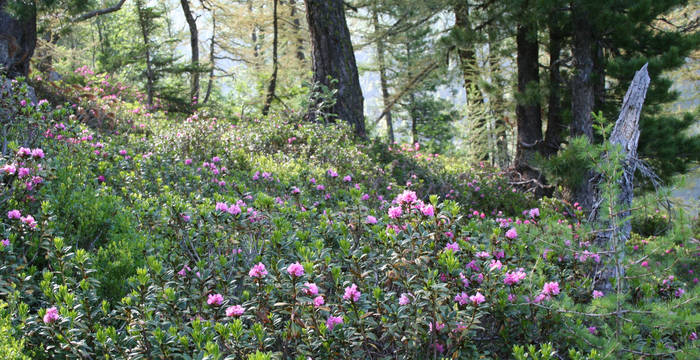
(583, 100)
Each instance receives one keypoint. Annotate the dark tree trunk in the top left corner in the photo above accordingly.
(17, 40)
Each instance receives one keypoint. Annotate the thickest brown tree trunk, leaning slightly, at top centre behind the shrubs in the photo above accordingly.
(333, 57)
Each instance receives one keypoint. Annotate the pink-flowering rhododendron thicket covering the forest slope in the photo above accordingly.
(223, 238)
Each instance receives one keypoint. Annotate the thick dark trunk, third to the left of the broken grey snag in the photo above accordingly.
(527, 110)
